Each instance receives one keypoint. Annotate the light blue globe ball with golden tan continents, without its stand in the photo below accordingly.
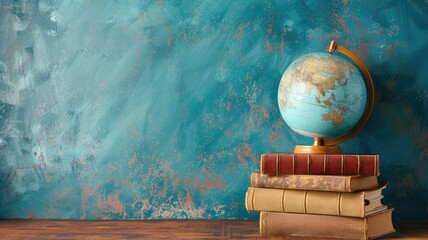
(322, 95)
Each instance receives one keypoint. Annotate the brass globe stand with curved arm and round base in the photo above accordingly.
(322, 146)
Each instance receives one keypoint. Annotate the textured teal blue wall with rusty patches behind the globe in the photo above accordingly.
(161, 109)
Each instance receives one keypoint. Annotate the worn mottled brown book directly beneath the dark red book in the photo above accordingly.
(314, 182)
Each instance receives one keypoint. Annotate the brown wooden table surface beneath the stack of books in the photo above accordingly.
(162, 229)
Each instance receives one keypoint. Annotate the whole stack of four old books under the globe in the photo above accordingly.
(331, 196)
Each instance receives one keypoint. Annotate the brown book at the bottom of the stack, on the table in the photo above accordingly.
(308, 225)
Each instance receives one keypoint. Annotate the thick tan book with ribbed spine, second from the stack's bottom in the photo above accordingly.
(356, 204)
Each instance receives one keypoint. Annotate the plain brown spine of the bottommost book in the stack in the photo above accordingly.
(291, 224)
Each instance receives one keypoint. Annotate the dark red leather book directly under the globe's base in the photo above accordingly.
(319, 164)
